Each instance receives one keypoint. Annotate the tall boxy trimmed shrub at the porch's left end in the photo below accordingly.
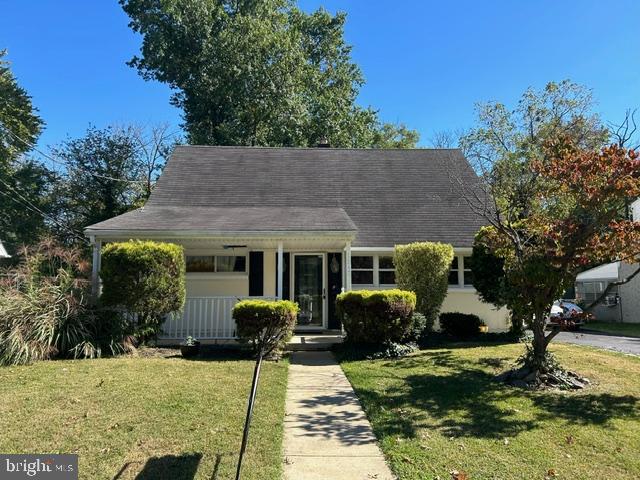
(146, 279)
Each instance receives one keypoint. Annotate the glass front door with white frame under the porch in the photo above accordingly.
(308, 289)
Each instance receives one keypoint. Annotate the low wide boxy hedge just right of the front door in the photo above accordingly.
(376, 317)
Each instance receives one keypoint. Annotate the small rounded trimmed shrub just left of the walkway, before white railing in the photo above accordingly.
(265, 323)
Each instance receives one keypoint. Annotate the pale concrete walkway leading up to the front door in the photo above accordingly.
(326, 433)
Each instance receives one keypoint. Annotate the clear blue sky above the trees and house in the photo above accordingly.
(426, 63)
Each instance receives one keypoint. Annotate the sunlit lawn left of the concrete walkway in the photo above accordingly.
(151, 417)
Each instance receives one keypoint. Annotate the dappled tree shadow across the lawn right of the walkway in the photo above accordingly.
(463, 399)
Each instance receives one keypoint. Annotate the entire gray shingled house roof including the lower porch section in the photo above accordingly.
(392, 196)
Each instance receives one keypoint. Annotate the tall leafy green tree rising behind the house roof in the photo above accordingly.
(258, 73)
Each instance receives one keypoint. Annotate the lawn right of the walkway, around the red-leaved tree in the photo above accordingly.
(441, 410)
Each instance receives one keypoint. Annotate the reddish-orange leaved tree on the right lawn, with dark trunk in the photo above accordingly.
(578, 220)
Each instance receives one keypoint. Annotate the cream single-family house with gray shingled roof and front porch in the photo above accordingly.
(301, 224)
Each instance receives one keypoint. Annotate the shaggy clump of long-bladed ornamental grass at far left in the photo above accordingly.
(45, 313)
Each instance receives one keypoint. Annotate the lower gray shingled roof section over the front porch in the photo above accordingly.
(227, 221)
